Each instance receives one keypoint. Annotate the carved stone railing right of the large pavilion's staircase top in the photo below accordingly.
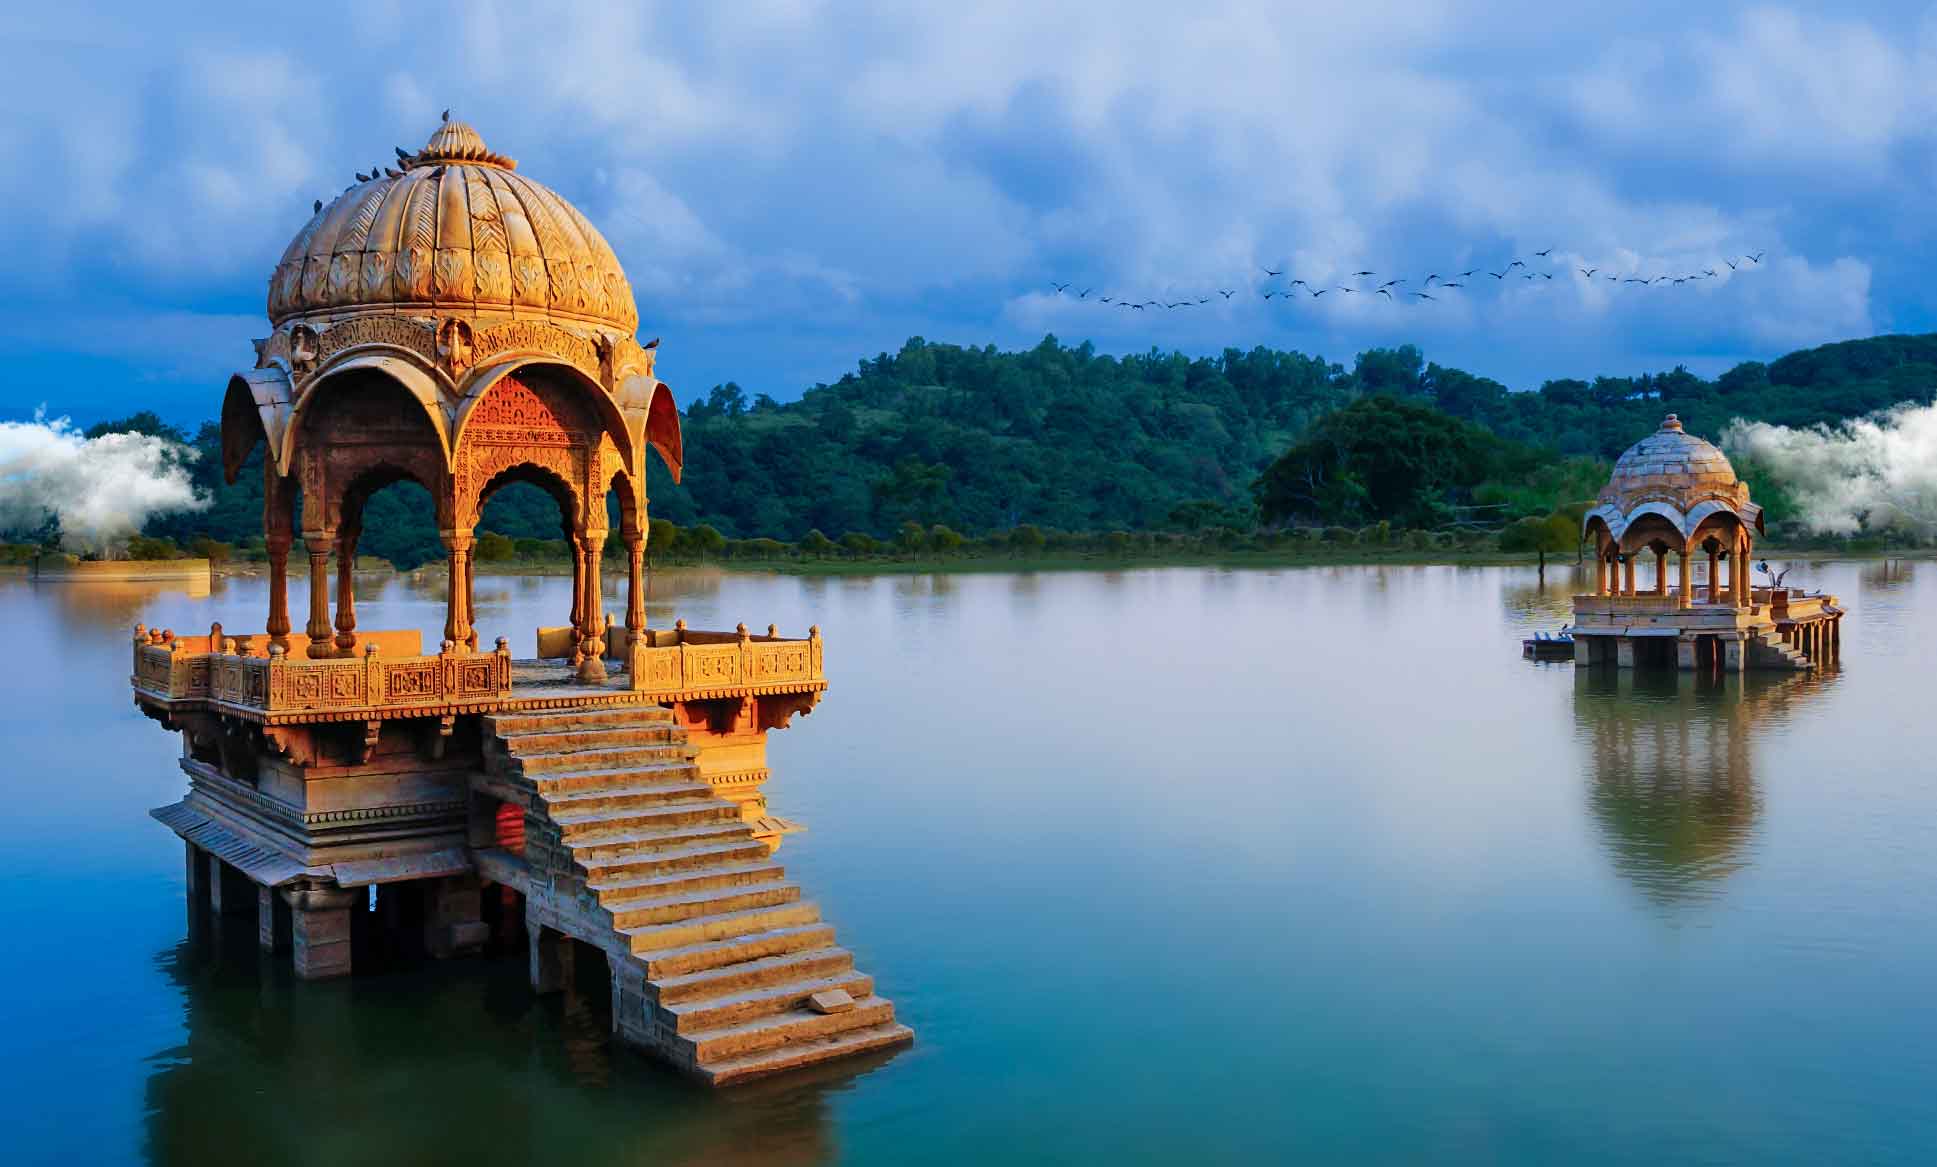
(700, 666)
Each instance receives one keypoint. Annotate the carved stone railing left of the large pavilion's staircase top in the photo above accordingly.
(224, 674)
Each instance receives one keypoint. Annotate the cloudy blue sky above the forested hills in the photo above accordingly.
(793, 187)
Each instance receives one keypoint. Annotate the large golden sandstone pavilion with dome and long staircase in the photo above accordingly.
(452, 323)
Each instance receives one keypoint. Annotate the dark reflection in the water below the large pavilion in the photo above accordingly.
(427, 1067)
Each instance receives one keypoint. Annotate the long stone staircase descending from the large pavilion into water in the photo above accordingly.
(716, 959)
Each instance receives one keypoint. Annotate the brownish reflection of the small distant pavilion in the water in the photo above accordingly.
(1673, 763)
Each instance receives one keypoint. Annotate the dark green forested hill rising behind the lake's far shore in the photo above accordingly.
(1064, 437)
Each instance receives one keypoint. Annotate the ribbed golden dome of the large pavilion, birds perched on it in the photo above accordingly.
(454, 230)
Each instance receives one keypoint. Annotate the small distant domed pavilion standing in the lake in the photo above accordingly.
(1676, 495)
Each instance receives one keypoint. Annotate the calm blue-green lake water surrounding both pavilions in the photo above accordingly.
(1163, 867)
